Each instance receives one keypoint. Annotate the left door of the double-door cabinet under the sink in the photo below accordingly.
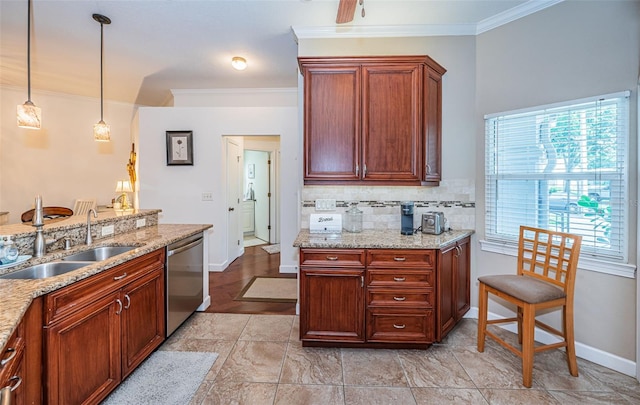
(83, 353)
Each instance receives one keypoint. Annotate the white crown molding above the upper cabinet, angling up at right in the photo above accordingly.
(422, 30)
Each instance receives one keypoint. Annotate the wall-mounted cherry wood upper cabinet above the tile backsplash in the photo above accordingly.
(372, 120)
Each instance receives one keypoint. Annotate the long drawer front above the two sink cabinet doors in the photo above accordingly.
(77, 295)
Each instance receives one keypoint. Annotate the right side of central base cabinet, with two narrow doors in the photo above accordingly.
(453, 286)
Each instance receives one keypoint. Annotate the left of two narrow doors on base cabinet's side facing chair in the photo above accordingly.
(446, 317)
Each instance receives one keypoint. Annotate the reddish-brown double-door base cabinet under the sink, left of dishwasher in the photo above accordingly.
(99, 329)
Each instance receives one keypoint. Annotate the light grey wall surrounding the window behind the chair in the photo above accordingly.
(568, 51)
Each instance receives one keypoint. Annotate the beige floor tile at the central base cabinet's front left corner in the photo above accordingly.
(310, 365)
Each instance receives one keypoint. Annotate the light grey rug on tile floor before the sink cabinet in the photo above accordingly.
(165, 378)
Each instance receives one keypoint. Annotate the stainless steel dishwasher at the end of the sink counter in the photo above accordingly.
(184, 279)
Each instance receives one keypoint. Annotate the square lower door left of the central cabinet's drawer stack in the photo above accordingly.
(332, 305)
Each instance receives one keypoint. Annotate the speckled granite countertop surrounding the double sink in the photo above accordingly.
(16, 295)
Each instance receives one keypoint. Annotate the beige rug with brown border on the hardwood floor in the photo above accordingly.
(270, 289)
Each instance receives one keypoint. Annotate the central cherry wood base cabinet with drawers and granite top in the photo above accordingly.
(379, 288)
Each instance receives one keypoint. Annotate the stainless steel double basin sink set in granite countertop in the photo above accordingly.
(68, 263)
